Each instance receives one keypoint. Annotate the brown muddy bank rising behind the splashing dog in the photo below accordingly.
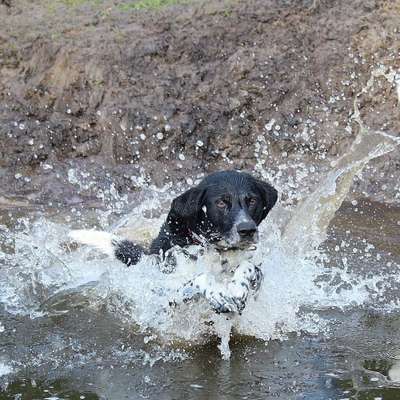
(100, 94)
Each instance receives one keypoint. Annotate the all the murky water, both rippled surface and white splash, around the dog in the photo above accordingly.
(324, 326)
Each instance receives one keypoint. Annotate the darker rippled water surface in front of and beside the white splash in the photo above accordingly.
(352, 351)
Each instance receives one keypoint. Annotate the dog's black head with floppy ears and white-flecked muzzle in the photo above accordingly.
(225, 208)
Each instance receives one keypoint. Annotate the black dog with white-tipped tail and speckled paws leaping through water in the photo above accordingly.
(224, 210)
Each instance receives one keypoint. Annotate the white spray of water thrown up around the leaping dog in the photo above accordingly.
(43, 276)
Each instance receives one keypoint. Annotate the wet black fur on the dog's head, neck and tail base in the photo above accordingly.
(187, 218)
